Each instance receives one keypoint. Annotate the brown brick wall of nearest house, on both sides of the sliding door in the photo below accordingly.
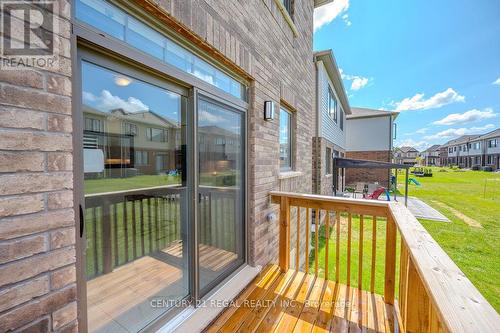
(37, 251)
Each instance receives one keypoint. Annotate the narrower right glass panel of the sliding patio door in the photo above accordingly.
(221, 191)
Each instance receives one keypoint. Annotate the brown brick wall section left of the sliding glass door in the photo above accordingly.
(37, 227)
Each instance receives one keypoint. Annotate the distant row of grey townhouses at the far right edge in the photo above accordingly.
(470, 151)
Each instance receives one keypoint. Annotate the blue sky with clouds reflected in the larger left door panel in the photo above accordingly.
(106, 90)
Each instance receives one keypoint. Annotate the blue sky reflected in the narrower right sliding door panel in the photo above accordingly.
(211, 115)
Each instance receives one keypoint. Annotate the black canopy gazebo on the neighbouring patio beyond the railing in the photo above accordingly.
(348, 163)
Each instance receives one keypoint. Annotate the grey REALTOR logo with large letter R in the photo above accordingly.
(29, 33)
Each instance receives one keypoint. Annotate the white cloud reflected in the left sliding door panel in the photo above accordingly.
(107, 101)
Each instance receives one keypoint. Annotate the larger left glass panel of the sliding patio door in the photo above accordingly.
(134, 148)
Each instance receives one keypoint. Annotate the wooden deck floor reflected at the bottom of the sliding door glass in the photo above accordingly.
(120, 301)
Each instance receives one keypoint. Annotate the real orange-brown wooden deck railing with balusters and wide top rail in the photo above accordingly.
(434, 295)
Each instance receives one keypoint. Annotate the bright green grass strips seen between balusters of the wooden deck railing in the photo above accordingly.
(367, 252)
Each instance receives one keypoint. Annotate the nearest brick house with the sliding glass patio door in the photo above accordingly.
(139, 168)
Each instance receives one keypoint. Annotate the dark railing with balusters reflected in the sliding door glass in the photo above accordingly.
(123, 226)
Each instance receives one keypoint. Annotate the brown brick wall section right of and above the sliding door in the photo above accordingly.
(255, 37)
